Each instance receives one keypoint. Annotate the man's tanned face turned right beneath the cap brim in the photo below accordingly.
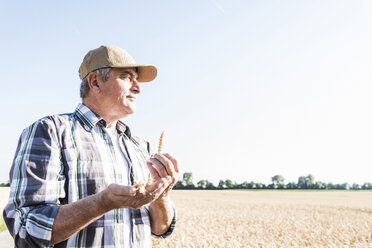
(119, 93)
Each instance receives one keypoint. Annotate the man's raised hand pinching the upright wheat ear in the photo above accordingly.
(163, 165)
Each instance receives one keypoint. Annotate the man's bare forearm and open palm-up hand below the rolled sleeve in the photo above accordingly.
(72, 217)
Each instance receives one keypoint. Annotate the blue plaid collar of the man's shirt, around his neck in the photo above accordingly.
(89, 119)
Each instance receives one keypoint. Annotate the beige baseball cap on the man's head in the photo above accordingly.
(114, 57)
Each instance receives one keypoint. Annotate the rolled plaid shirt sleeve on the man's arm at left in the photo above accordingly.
(37, 184)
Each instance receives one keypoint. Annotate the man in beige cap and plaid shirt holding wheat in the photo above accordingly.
(73, 175)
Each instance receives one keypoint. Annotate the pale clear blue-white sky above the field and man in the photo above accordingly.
(245, 90)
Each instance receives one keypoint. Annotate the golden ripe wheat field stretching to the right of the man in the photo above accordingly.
(271, 219)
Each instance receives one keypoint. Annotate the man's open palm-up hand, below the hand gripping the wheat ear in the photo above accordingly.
(119, 196)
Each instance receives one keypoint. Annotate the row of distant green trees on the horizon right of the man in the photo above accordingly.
(277, 182)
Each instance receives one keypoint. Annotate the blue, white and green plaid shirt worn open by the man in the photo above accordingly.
(63, 158)
